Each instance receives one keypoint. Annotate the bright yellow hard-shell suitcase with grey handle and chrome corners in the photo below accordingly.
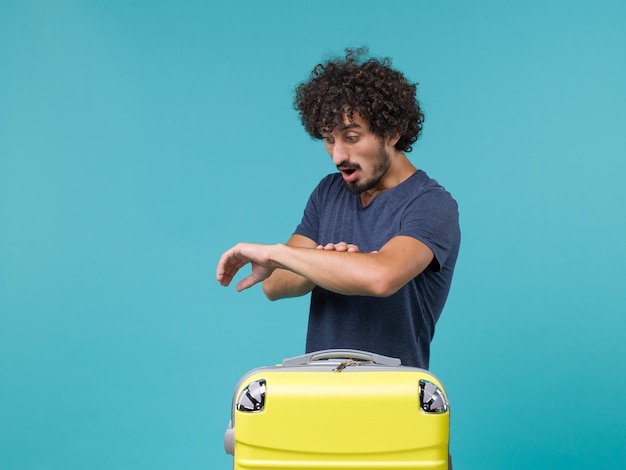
(339, 409)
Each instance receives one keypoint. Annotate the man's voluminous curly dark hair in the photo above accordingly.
(367, 86)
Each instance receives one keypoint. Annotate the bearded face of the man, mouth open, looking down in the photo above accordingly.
(360, 155)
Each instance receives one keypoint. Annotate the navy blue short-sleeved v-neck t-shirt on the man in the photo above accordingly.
(401, 325)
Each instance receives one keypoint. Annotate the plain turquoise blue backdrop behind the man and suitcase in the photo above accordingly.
(139, 140)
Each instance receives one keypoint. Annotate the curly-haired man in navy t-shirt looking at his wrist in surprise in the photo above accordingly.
(378, 242)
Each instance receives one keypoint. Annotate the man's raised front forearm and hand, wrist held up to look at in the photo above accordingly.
(377, 274)
